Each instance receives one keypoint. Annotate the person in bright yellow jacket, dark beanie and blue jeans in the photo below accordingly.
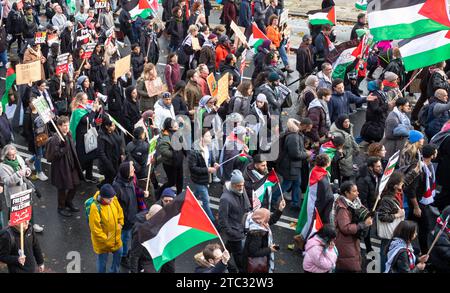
(106, 228)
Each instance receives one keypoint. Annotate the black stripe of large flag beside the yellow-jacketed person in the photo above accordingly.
(150, 229)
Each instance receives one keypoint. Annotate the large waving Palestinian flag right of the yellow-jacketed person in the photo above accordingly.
(178, 227)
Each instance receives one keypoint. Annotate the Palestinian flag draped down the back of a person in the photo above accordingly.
(309, 219)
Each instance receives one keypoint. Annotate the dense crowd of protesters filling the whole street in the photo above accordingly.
(260, 126)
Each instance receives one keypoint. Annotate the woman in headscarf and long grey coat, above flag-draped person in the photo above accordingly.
(342, 127)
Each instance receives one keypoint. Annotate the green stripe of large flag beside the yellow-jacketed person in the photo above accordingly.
(179, 245)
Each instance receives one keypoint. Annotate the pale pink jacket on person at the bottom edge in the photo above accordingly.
(317, 257)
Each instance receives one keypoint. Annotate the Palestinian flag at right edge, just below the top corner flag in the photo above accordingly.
(425, 50)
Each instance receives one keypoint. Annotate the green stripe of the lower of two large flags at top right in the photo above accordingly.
(427, 58)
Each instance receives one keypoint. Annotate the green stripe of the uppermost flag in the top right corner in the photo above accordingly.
(406, 30)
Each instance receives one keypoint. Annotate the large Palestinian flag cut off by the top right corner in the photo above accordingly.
(395, 20)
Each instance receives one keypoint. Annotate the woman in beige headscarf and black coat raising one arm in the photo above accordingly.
(259, 240)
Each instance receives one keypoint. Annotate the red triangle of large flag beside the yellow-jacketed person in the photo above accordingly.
(192, 215)
